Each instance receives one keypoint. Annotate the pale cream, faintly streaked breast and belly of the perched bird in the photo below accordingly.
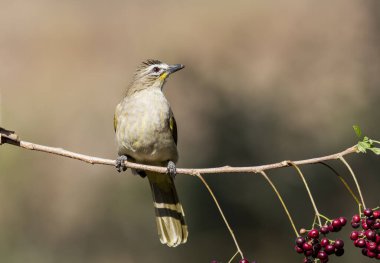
(143, 127)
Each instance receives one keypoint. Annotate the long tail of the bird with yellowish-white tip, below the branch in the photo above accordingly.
(170, 217)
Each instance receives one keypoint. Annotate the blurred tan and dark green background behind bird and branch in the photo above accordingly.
(265, 81)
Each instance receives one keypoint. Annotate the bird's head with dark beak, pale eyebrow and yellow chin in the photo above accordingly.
(152, 73)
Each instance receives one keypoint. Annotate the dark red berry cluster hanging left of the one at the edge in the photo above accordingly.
(316, 248)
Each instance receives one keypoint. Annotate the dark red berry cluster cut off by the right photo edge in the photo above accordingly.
(367, 239)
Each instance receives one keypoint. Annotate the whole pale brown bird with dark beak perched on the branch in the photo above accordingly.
(146, 133)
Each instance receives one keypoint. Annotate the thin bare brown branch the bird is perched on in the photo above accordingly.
(10, 137)
